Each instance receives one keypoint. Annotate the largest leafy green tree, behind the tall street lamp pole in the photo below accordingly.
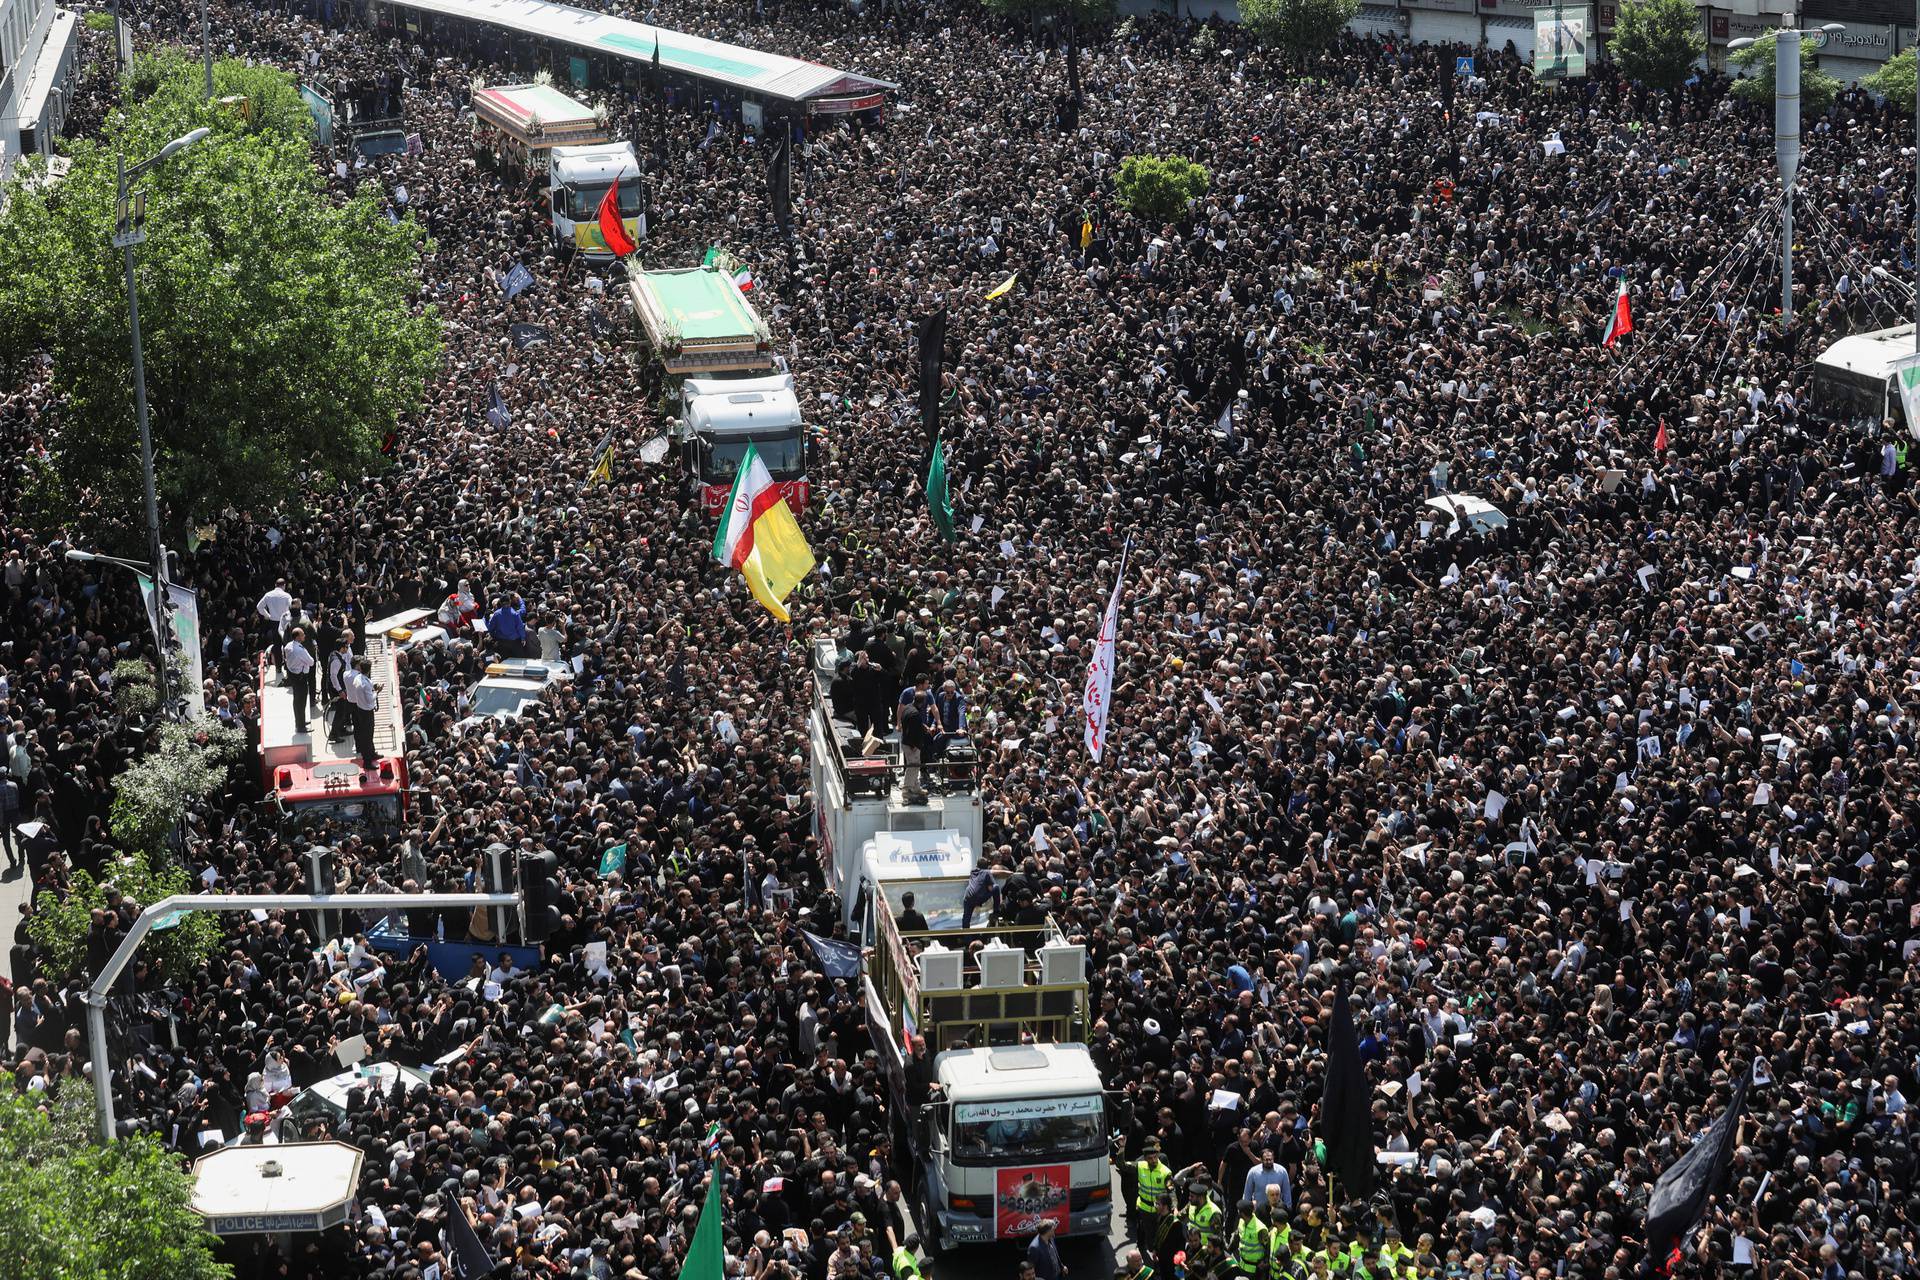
(283, 337)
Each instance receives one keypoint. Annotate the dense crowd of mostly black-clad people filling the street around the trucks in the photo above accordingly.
(1595, 813)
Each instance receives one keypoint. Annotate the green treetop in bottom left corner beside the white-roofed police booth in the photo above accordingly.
(72, 1210)
